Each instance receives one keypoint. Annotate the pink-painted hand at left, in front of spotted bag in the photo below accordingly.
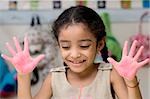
(22, 60)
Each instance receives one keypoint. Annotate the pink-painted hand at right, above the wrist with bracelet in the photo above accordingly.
(129, 65)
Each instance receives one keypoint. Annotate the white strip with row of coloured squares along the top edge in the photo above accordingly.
(63, 4)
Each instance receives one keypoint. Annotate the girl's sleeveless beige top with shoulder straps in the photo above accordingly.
(100, 88)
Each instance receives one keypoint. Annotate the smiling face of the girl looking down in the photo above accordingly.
(77, 46)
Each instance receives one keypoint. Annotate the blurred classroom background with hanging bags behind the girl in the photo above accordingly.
(124, 20)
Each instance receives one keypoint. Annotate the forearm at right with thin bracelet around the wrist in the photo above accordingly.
(133, 89)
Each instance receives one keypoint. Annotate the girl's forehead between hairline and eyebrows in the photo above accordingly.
(77, 31)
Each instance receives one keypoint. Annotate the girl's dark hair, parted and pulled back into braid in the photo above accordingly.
(85, 15)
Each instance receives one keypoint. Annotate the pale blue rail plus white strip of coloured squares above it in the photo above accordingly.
(21, 11)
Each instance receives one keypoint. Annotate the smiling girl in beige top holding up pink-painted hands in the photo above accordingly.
(80, 33)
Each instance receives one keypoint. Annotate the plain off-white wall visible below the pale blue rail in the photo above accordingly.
(122, 31)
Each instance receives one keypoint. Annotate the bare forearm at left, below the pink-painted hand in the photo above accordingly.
(24, 87)
